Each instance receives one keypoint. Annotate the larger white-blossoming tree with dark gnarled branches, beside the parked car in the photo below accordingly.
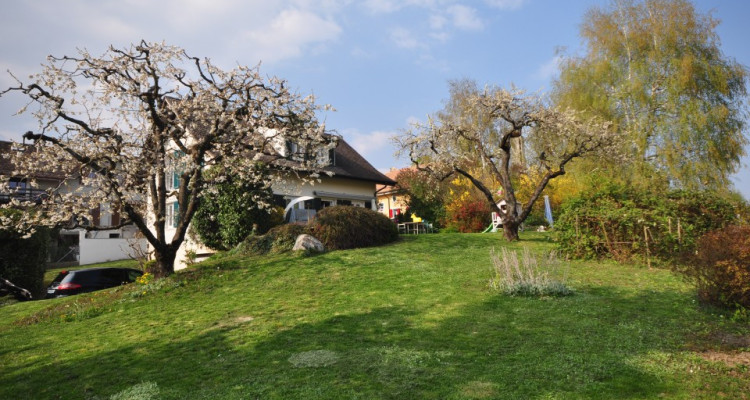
(125, 122)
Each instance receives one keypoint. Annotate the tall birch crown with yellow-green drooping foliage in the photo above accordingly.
(655, 68)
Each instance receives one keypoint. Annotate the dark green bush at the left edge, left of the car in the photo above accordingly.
(24, 260)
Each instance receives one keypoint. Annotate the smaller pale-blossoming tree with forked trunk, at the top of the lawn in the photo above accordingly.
(480, 132)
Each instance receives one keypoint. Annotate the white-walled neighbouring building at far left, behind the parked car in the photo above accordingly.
(77, 246)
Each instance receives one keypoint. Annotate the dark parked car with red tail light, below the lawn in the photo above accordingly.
(89, 280)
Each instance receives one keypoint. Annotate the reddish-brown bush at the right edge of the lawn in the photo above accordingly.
(720, 268)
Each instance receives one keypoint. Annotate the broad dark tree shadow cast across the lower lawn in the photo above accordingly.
(582, 347)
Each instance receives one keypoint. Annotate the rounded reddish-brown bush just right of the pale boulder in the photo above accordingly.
(344, 227)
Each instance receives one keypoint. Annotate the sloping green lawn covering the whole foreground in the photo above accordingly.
(411, 320)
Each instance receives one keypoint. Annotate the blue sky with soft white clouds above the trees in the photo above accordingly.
(379, 63)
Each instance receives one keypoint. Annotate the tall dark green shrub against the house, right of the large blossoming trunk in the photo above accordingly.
(230, 211)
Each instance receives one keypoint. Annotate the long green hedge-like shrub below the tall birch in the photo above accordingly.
(622, 222)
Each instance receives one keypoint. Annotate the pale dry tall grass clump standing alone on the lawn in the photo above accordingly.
(526, 277)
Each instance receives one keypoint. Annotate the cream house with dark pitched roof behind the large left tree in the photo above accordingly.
(352, 183)
